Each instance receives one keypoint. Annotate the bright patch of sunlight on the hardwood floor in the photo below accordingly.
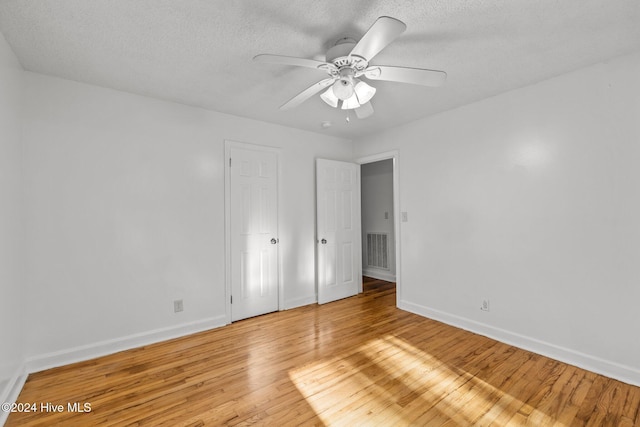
(390, 382)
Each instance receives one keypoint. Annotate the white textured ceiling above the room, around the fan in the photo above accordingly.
(200, 52)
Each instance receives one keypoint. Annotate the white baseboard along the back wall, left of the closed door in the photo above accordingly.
(104, 348)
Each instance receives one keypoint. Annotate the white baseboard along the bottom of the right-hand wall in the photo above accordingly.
(604, 367)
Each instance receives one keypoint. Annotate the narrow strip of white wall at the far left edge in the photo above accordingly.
(11, 228)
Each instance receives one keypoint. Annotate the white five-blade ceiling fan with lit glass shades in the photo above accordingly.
(348, 62)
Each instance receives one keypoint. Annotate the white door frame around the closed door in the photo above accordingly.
(228, 146)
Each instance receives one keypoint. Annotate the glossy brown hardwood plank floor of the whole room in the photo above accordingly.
(358, 361)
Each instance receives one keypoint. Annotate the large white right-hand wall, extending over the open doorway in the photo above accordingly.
(530, 199)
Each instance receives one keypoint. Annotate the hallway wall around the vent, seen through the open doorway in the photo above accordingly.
(377, 199)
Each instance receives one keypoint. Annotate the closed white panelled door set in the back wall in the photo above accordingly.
(254, 232)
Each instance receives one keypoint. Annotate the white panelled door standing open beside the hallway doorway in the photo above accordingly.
(338, 230)
